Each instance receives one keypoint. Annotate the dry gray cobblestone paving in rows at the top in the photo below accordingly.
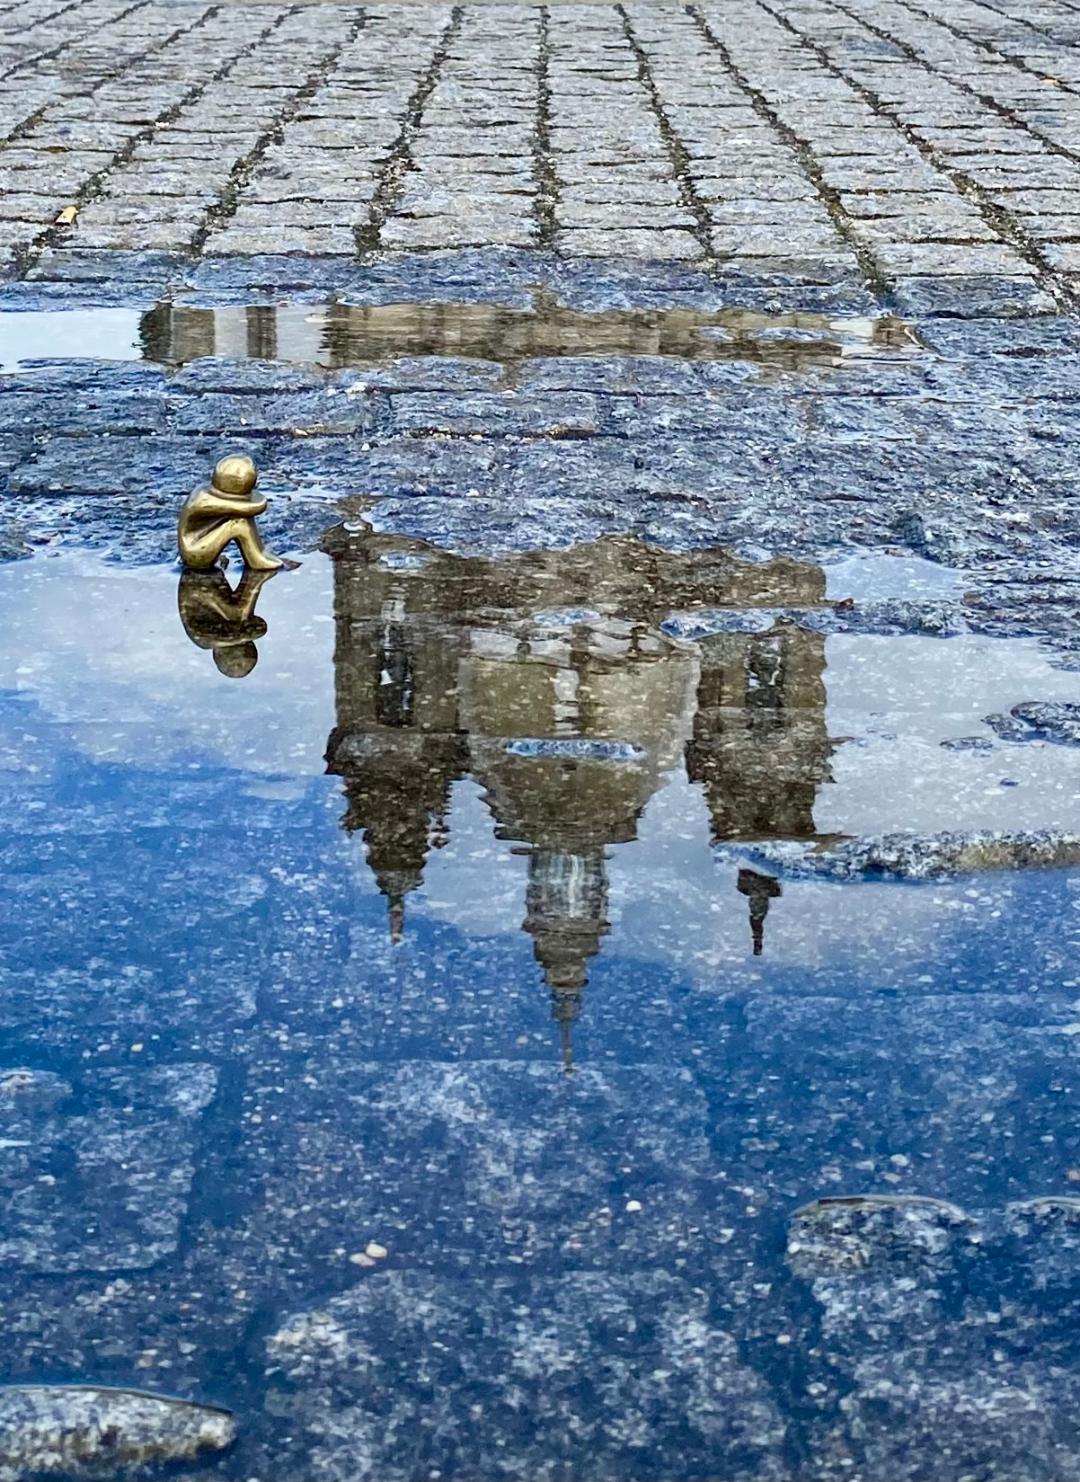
(826, 142)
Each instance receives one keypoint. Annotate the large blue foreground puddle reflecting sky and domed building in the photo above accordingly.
(381, 848)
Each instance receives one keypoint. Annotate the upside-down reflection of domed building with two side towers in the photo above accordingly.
(546, 677)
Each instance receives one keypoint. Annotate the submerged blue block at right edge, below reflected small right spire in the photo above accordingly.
(860, 1096)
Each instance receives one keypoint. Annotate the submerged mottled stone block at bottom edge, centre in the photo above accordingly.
(611, 1364)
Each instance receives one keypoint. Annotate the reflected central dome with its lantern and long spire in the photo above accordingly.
(573, 722)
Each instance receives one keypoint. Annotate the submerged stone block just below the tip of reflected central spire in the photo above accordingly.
(558, 1201)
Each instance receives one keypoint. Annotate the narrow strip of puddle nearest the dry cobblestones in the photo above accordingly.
(337, 336)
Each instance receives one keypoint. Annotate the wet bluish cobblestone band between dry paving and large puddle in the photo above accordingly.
(510, 423)
